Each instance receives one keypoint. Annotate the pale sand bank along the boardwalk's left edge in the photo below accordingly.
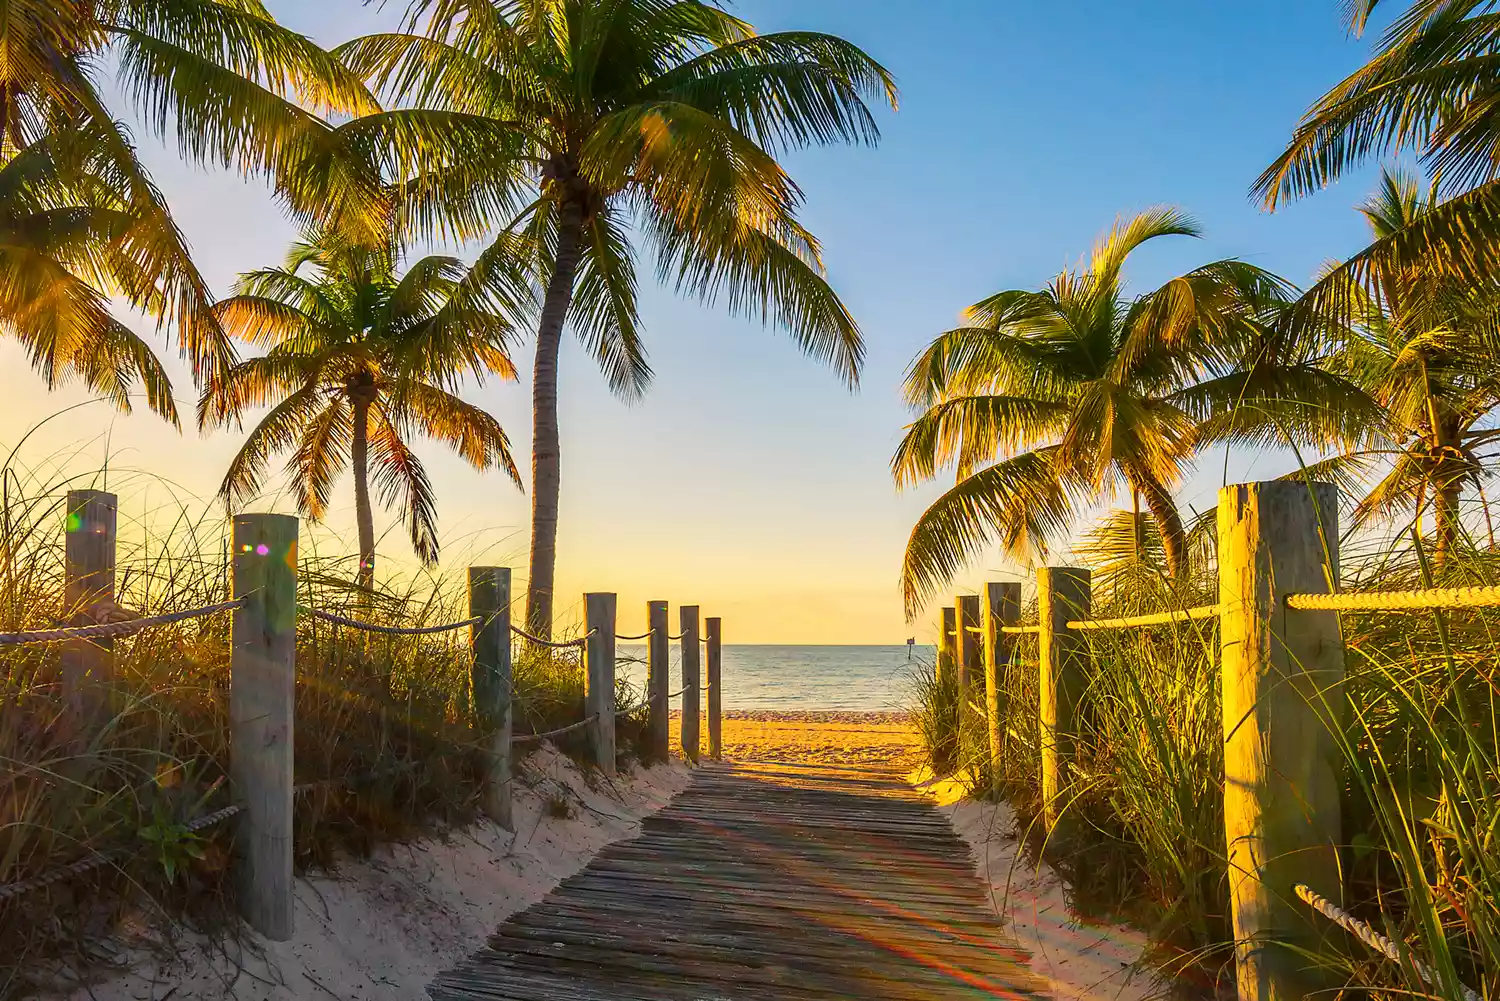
(382, 928)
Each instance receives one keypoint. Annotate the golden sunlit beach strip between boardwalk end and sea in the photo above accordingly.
(815, 738)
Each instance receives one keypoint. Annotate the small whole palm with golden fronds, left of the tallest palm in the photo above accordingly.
(359, 359)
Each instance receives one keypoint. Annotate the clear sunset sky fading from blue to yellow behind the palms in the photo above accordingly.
(751, 481)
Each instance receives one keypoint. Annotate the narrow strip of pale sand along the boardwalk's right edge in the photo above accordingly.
(1079, 961)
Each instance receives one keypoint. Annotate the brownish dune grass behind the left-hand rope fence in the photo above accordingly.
(385, 736)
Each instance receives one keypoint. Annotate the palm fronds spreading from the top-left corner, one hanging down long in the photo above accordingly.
(232, 85)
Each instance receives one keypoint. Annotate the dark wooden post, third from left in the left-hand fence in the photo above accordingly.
(491, 681)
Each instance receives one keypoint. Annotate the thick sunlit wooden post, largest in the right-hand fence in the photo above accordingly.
(1283, 703)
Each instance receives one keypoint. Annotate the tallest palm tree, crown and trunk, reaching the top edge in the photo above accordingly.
(640, 121)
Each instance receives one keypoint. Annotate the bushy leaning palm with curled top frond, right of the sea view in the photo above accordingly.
(1051, 401)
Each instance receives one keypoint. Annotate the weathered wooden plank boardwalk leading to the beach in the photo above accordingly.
(763, 883)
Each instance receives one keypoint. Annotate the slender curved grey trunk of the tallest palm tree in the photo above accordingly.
(547, 458)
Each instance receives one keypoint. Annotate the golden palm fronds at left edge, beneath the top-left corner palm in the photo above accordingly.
(70, 239)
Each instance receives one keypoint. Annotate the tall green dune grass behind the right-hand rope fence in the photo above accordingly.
(1421, 756)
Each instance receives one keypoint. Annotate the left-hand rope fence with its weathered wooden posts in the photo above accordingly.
(263, 675)
